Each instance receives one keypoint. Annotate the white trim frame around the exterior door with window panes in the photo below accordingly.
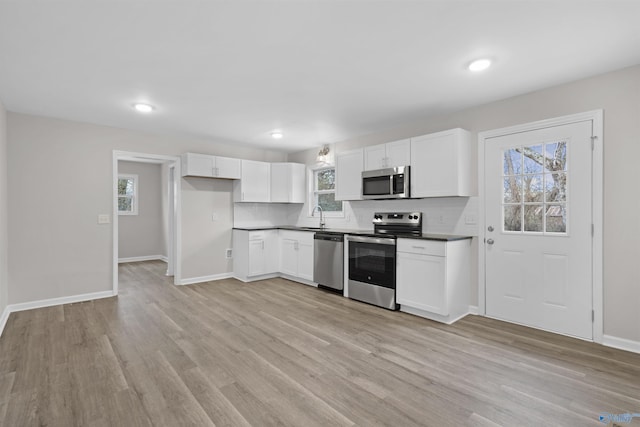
(597, 206)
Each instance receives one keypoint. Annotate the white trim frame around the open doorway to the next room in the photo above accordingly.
(173, 181)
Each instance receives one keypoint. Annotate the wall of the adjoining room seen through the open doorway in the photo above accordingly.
(143, 235)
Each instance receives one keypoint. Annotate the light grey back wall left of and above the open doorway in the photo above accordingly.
(60, 175)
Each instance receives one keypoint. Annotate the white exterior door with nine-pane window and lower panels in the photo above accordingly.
(538, 248)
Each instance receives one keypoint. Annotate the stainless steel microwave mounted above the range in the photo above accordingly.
(390, 183)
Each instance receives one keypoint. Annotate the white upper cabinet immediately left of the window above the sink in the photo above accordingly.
(288, 182)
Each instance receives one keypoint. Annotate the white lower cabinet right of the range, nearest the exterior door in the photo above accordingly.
(433, 278)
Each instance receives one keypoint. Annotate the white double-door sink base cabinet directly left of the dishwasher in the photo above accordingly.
(296, 254)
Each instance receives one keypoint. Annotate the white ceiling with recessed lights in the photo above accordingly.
(322, 71)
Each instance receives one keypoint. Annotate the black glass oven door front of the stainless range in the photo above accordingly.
(373, 263)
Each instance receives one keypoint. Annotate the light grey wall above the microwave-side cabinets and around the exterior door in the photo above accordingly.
(618, 93)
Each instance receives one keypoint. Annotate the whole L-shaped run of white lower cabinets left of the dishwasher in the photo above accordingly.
(269, 253)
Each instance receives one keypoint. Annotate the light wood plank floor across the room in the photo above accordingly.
(280, 353)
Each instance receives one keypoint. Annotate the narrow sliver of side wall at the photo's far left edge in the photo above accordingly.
(4, 284)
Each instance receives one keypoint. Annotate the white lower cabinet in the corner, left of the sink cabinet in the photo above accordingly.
(255, 254)
